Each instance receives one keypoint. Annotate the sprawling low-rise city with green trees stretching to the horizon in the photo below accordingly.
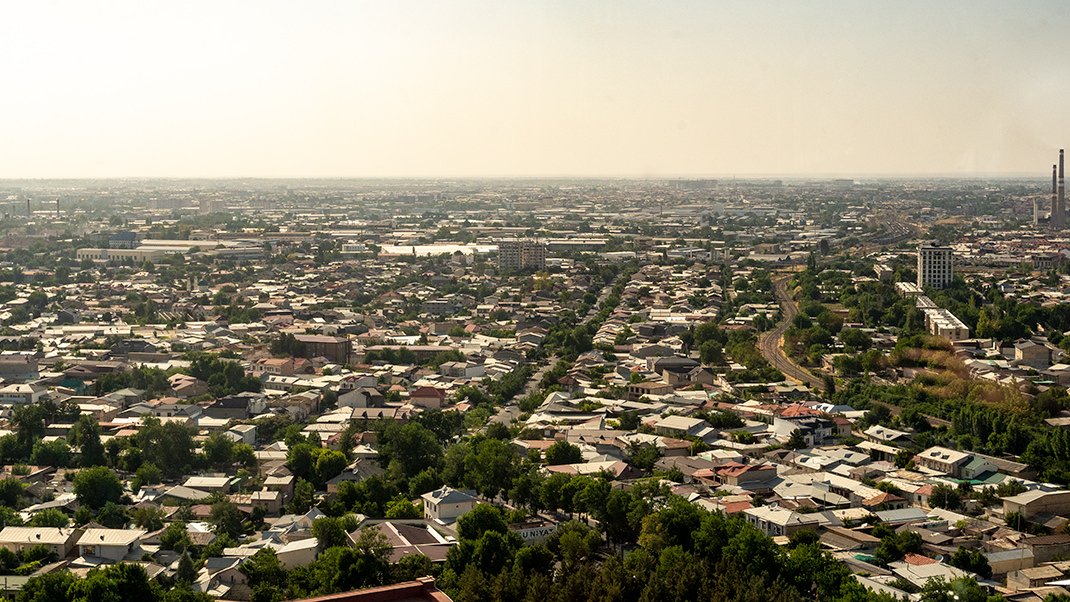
(557, 390)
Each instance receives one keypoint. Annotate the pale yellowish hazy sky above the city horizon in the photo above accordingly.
(653, 88)
